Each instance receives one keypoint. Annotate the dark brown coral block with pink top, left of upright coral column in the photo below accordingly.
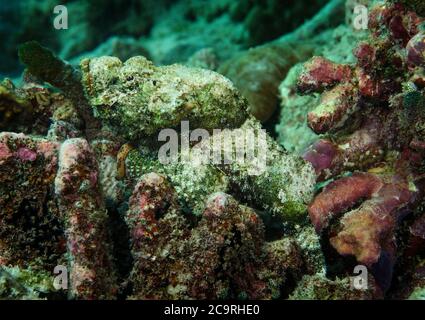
(26, 195)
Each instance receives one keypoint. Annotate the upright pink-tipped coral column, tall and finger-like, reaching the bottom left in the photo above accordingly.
(76, 185)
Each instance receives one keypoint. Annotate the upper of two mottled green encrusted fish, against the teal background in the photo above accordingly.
(137, 98)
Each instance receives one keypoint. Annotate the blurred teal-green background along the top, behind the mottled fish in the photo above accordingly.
(166, 31)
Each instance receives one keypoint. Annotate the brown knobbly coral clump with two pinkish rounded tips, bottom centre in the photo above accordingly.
(224, 256)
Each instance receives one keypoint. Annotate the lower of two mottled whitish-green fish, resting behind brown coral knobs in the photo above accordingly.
(283, 184)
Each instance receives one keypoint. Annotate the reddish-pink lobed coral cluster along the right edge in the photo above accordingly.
(370, 113)
